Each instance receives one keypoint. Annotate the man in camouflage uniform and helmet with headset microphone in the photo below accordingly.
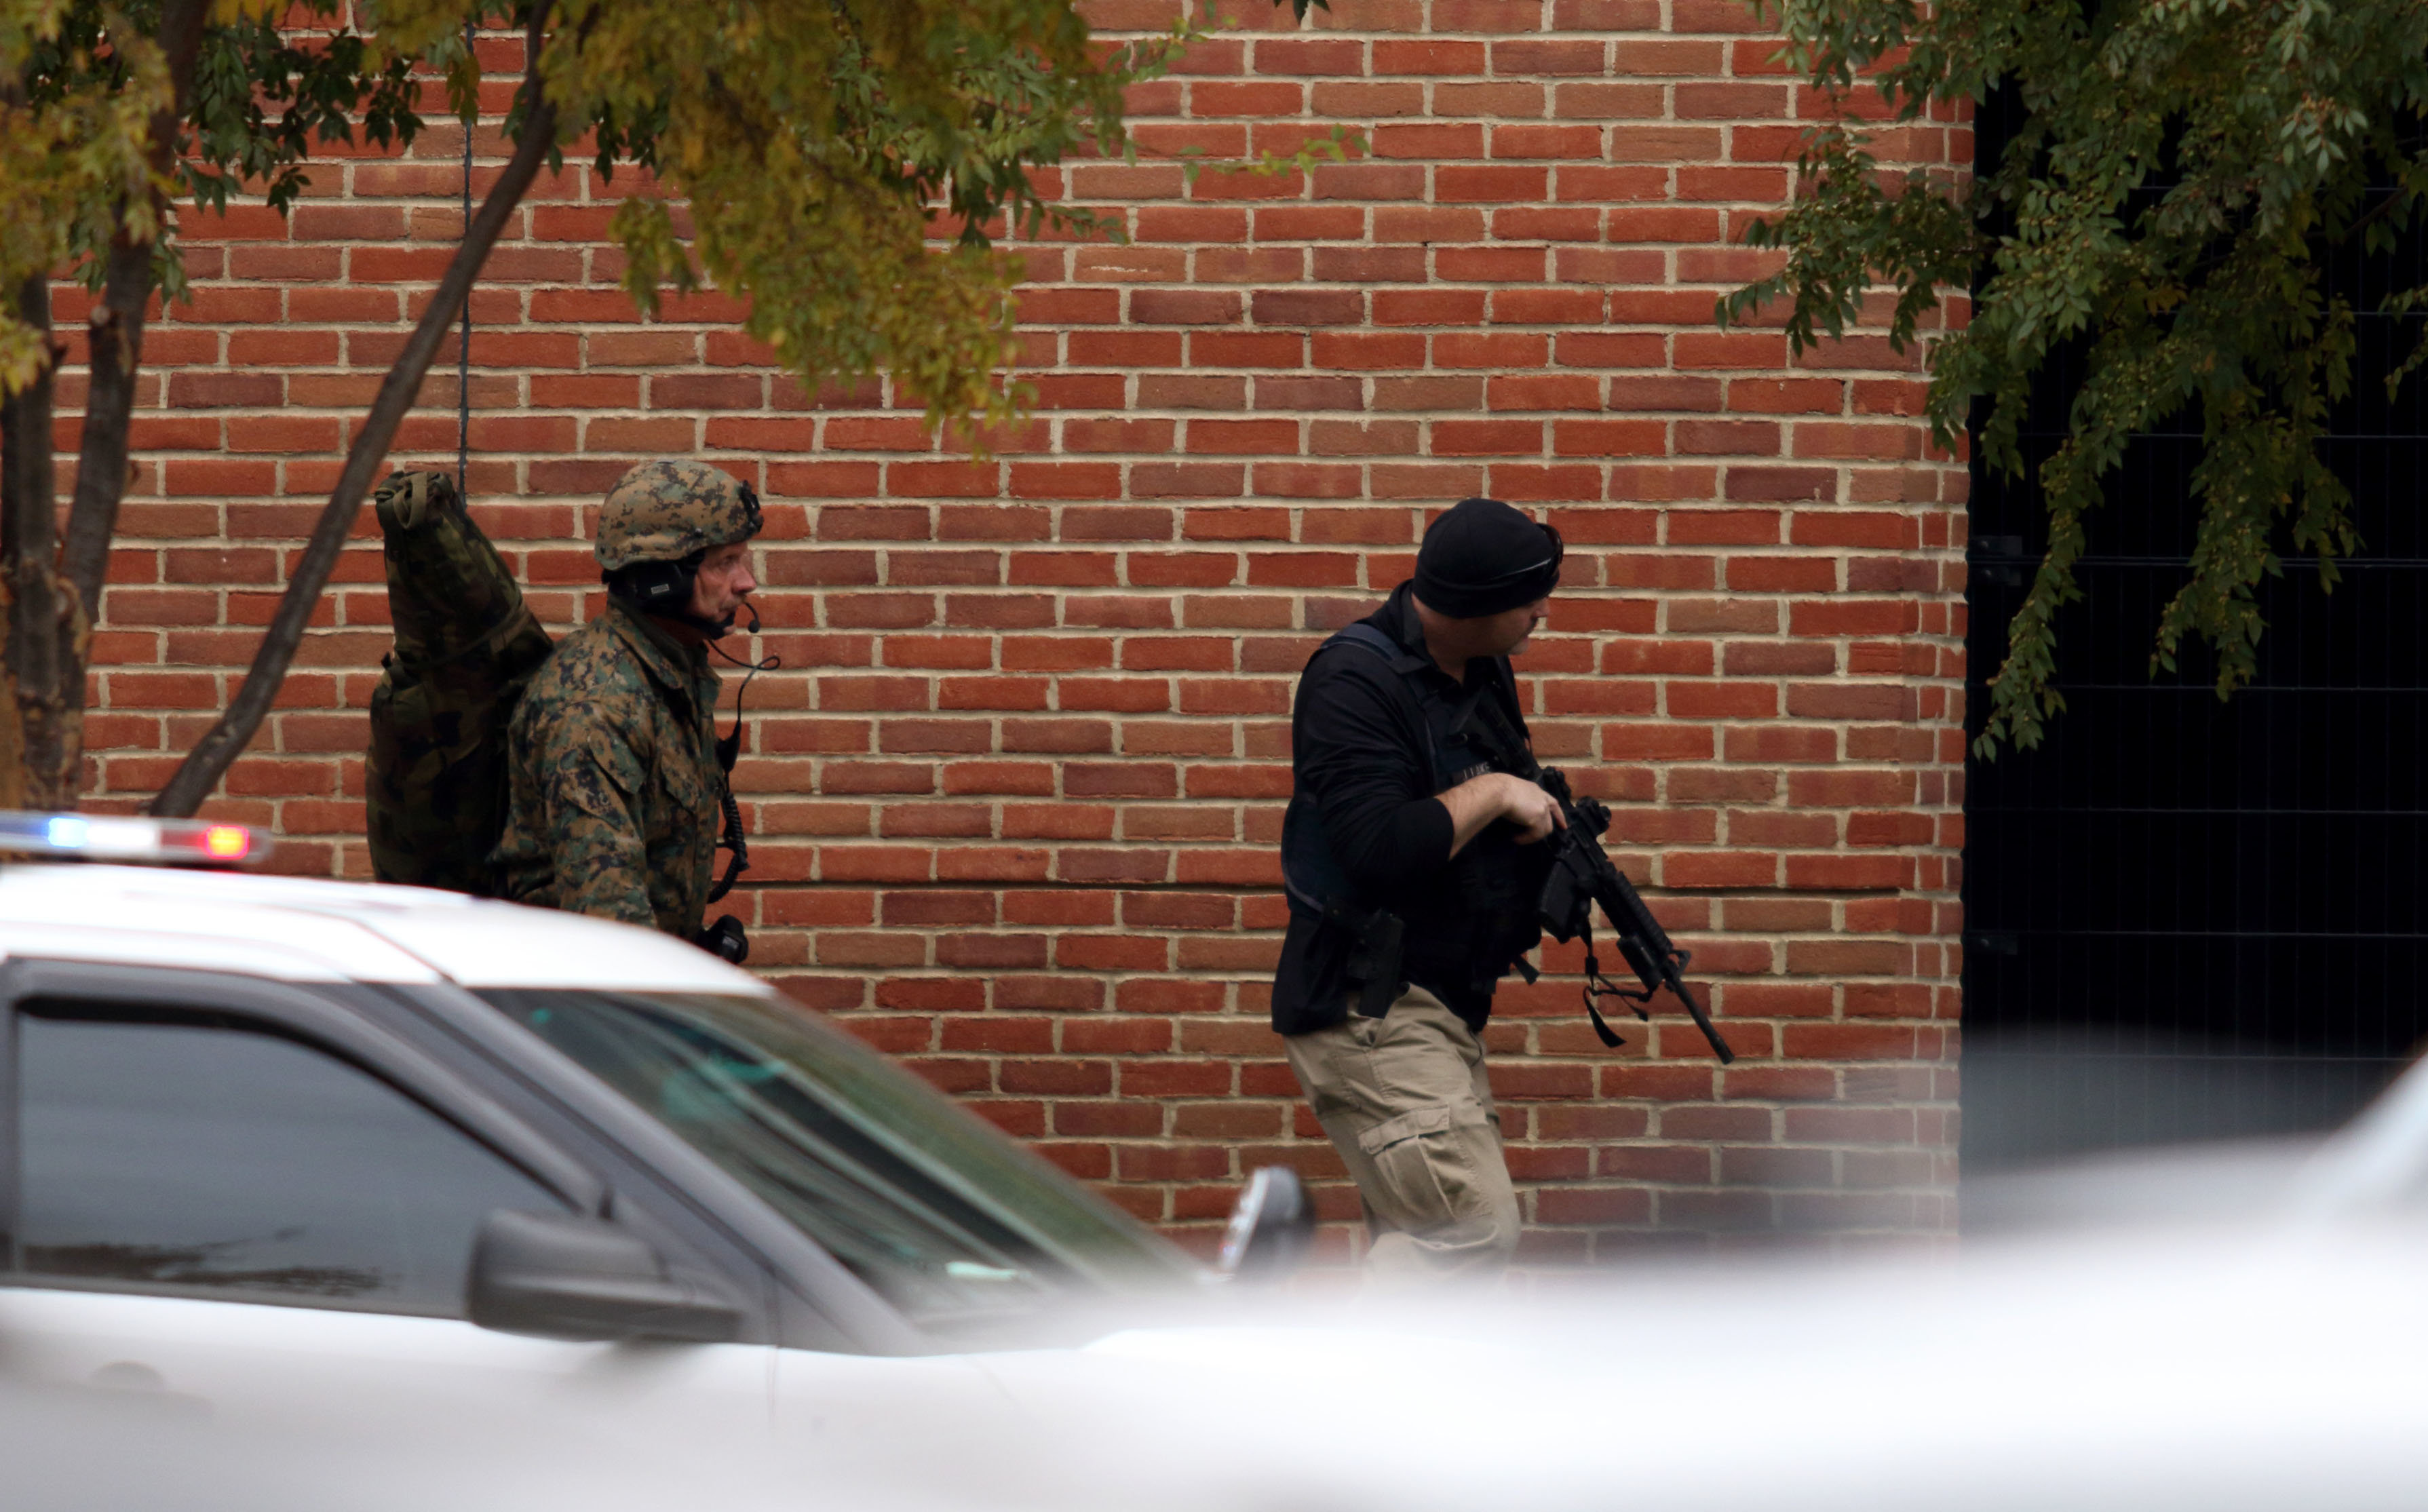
(615, 790)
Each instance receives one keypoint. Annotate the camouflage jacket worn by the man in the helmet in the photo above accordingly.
(613, 778)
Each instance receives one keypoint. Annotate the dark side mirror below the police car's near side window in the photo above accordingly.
(586, 1280)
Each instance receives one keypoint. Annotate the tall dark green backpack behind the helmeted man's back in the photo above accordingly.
(465, 652)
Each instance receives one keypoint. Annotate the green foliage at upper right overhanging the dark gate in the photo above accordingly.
(2167, 208)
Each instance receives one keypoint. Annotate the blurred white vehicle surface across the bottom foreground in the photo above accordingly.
(2203, 1370)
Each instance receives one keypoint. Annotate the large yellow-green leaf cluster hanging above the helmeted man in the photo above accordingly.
(817, 152)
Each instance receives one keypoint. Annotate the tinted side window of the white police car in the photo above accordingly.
(212, 1156)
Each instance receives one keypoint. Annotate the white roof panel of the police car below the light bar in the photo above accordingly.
(336, 931)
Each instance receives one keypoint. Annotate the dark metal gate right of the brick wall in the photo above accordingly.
(2191, 919)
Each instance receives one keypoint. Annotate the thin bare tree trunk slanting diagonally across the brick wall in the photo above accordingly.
(217, 751)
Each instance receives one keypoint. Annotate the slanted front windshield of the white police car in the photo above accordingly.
(929, 1205)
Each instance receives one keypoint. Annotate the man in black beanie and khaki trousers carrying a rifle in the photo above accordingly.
(1414, 877)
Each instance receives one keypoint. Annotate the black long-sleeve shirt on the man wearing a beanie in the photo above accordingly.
(1368, 758)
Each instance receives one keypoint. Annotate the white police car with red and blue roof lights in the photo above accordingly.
(295, 1171)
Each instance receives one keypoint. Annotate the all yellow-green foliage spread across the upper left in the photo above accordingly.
(817, 144)
